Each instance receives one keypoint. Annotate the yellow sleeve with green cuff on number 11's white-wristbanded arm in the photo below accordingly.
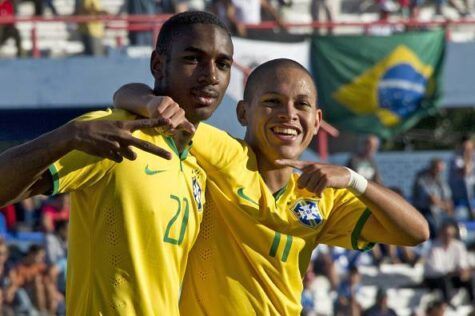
(345, 223)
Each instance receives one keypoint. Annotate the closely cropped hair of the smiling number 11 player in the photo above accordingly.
(261, 70)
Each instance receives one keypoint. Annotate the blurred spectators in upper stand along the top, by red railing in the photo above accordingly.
(242, 17)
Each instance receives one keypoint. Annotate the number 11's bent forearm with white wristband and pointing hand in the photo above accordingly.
(393, 220)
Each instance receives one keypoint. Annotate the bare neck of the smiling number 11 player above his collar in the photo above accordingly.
(275, 177)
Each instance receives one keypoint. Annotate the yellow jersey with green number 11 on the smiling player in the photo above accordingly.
(254, 247)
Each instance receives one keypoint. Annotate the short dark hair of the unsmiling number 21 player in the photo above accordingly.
(179, 23)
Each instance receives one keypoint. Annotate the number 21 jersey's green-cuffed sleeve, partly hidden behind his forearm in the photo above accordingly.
(77, 170)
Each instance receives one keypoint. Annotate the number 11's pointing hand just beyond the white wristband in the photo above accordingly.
(316, 177)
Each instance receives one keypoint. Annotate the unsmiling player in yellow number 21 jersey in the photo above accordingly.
(133, 221)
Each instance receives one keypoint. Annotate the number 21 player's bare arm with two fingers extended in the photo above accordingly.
(23, 169)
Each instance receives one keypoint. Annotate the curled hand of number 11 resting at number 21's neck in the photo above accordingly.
(166, 108)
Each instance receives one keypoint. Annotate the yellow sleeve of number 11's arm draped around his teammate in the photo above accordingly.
(215, 149)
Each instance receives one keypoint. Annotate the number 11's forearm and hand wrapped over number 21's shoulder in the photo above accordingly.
(138, 98)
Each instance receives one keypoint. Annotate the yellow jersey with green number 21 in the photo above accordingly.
(132, 225)
